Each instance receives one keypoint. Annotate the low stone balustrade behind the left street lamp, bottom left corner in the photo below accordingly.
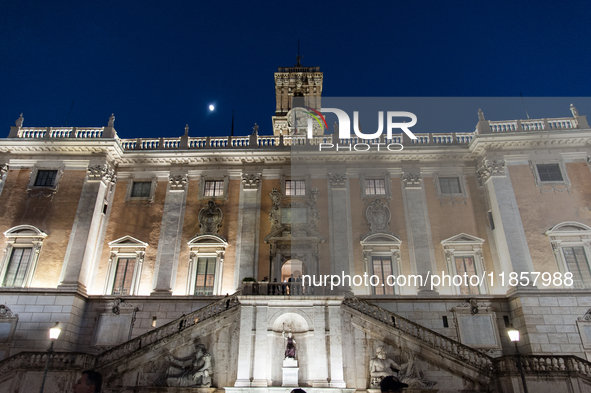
(38, 360)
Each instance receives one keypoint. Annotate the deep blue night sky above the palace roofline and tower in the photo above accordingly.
(158, 65)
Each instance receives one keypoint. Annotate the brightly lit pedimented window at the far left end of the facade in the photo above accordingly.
(20, 256)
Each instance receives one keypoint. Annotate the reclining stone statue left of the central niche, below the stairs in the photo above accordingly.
(194, 370)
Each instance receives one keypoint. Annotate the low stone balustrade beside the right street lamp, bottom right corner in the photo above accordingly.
(532, 364)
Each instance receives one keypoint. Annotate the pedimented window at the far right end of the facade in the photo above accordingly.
(571, 242)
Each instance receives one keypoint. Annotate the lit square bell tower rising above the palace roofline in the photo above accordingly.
(296, 81)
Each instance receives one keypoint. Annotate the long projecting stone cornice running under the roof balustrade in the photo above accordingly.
(498, 144)
